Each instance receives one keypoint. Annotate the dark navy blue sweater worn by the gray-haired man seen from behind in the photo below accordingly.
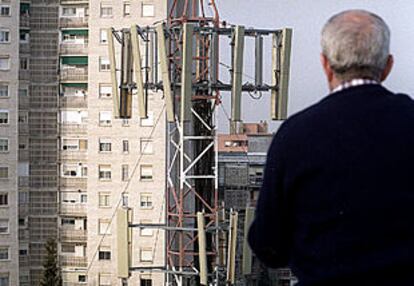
(337, 202)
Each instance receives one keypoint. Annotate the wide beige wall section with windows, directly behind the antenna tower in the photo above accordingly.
(145, 193)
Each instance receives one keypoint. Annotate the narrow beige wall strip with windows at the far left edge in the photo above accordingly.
(9, 75)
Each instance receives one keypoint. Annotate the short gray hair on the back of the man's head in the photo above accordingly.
(355, 46)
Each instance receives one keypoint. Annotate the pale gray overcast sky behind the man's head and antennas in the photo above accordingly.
(307, 84)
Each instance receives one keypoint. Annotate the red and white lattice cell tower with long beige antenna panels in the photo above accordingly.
(182, 57)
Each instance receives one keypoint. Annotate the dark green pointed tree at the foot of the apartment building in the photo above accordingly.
(51, 272)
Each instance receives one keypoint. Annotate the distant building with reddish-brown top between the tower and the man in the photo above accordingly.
(242, 158)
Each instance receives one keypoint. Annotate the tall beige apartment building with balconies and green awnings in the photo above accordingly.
(66, 164)
